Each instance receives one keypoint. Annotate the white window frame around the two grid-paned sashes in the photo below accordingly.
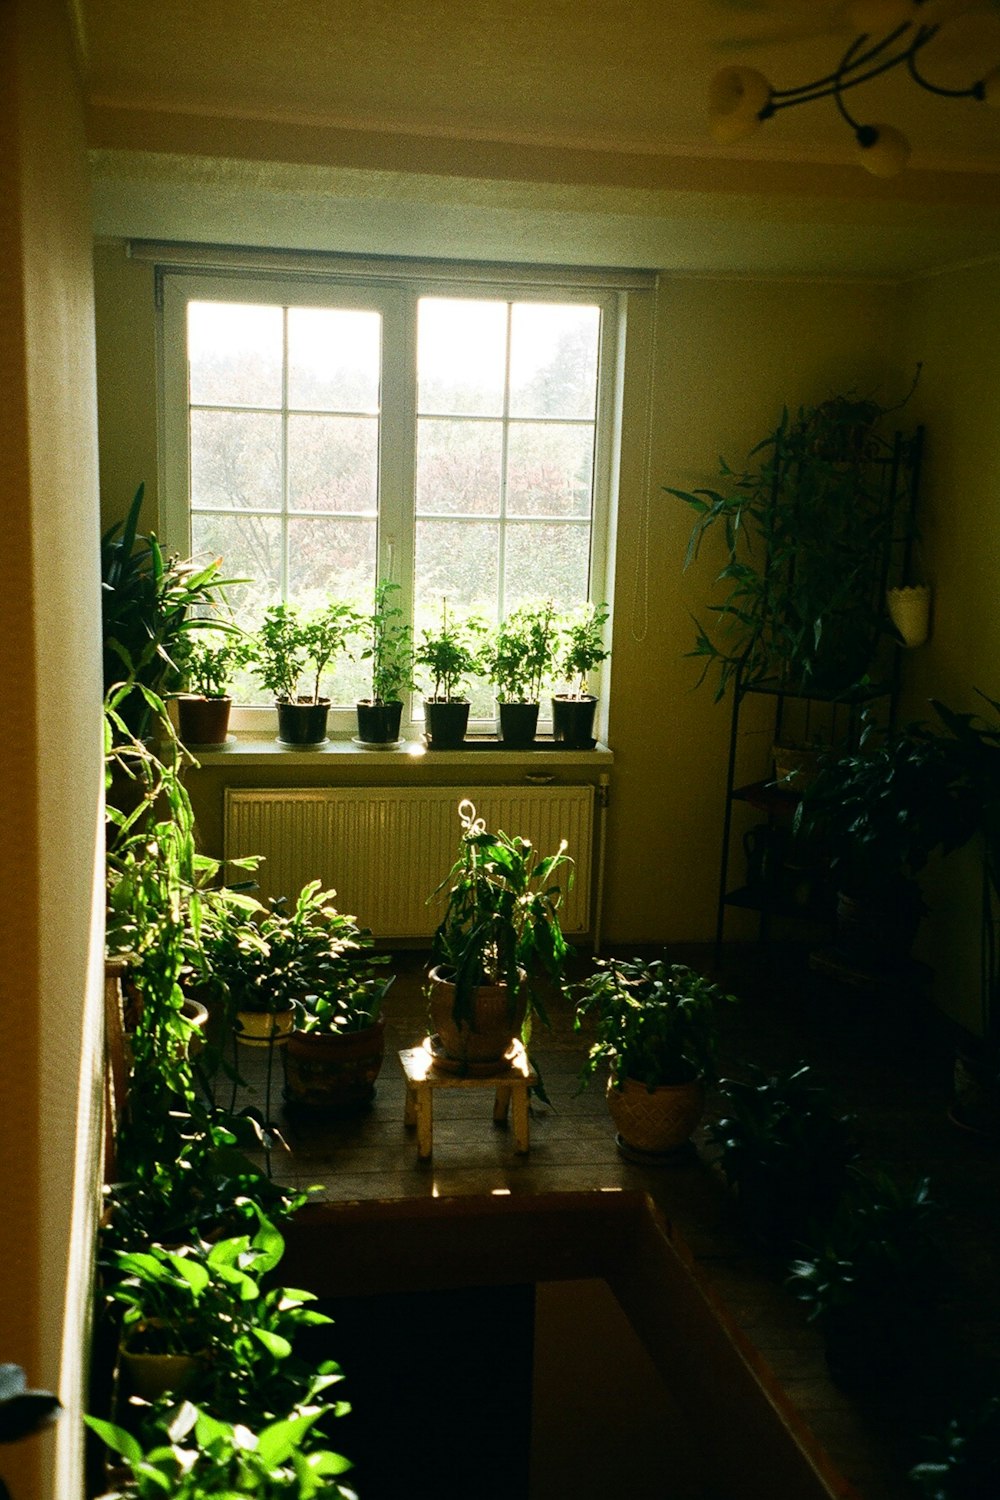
(394, 290)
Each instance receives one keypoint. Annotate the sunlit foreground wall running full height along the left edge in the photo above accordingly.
(52, 761)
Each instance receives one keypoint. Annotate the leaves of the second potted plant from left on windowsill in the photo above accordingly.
(290, 644)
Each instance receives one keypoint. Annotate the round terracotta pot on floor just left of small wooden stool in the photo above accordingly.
(334, 1073)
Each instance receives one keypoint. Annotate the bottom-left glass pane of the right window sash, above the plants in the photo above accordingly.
(458, 560)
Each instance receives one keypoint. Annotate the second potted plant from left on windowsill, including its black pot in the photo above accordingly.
(290, 653)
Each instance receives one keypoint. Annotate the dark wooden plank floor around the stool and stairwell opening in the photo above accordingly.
(885, 1058)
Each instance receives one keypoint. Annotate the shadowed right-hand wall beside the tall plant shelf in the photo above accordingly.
(950, 325)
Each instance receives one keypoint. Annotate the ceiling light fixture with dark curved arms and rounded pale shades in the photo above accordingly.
(741, 98)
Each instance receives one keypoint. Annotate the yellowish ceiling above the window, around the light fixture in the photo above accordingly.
(554, 124)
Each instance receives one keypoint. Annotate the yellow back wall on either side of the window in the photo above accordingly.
(728, 356)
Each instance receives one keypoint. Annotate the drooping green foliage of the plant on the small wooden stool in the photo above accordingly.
(501, 922)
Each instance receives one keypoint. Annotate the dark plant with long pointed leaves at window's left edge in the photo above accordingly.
(152, 607)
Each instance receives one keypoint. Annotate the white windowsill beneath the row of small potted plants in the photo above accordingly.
(543, 757)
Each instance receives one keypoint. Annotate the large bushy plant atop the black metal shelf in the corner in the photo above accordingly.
(804, 530)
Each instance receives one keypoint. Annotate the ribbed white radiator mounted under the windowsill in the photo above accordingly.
(385, 850)
